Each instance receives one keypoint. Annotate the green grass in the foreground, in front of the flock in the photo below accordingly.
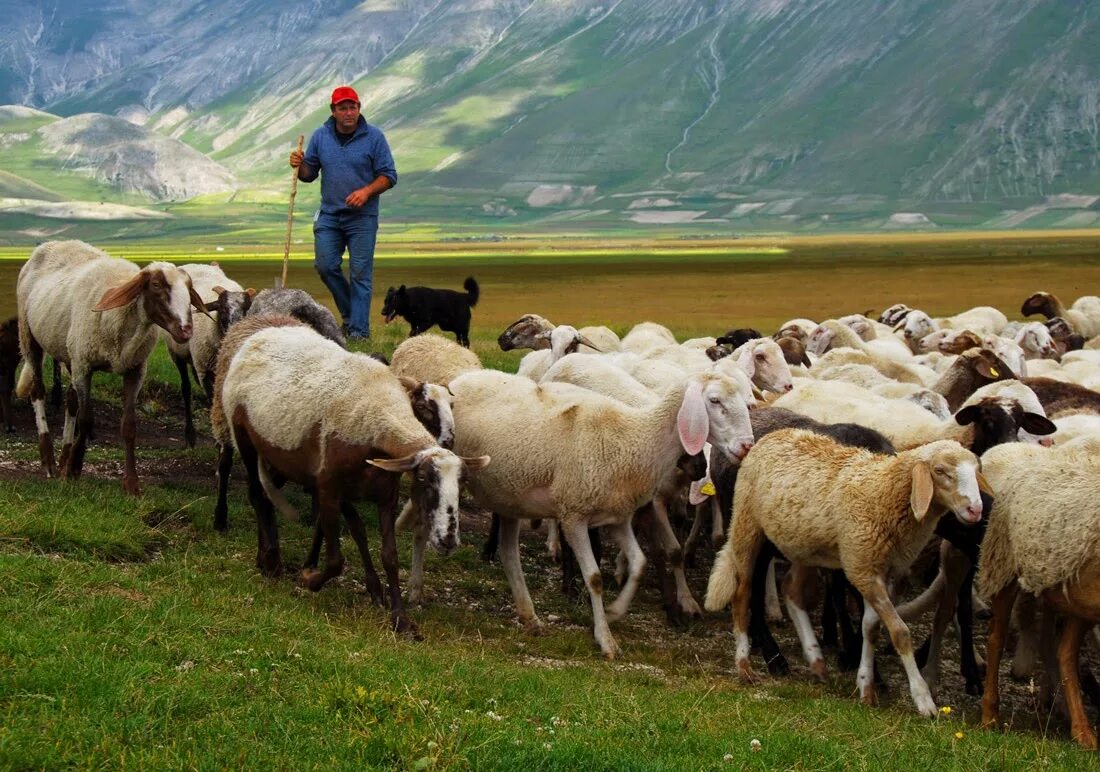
(138, 637)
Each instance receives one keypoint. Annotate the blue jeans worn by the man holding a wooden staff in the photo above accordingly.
(356, 233)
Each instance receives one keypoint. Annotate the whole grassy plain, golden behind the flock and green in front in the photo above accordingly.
(138, 637)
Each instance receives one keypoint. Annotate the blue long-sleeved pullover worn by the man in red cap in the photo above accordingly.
(349, 167)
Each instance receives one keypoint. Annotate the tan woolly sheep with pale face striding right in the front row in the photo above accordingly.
(824, 504)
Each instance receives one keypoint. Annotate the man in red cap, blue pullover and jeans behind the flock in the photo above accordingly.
(358, 168)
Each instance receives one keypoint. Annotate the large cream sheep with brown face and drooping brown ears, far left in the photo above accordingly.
(92, 312)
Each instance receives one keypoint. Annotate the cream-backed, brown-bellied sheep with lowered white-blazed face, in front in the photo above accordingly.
(339, 424)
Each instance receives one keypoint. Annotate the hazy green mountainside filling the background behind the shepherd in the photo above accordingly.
(598, 114)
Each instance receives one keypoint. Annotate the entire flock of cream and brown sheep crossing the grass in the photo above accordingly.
(841, 447)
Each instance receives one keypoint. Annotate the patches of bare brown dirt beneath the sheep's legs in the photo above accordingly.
(708, 642)
